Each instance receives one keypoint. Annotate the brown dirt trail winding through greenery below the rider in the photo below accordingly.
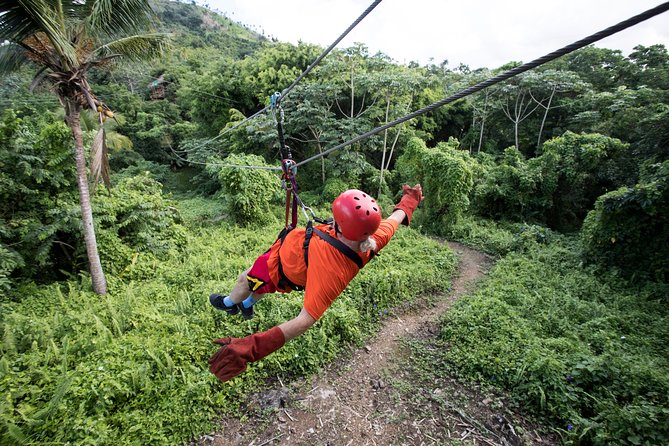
(355, 401)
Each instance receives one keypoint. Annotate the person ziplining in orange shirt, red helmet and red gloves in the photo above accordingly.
(320, 263)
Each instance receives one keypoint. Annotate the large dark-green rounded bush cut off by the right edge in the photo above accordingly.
(629, 228)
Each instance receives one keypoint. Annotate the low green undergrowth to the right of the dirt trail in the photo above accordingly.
(580, 349)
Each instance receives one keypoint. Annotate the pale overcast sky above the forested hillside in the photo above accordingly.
(479, 33)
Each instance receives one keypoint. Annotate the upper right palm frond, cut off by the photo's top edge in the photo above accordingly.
(116, 17)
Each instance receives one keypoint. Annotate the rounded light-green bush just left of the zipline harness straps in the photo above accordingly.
(247, 193)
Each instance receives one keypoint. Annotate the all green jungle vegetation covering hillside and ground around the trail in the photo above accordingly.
(562, 173)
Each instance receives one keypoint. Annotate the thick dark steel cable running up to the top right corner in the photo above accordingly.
(503, 76)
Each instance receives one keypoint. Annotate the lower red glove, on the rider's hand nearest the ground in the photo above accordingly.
(230, 360)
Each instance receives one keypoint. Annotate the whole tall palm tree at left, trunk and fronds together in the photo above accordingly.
(64, 39)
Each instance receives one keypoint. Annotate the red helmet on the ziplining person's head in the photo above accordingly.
(357, 214)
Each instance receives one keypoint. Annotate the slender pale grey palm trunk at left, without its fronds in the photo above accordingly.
(73, 110)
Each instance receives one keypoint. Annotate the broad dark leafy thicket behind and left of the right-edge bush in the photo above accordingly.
(556, 188)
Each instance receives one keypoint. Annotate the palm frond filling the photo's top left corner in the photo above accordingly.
(21, 19)
